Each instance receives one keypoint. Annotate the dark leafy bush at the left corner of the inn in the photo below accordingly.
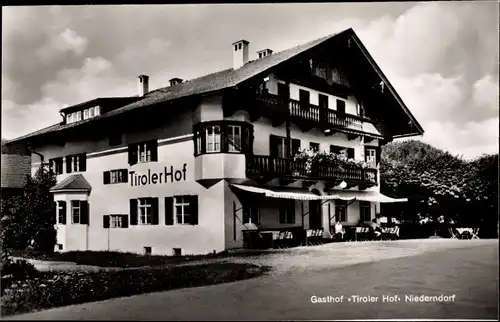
(30, 217)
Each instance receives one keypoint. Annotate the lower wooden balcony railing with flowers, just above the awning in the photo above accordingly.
(259, 165)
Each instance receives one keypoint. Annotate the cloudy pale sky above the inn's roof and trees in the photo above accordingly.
(441, 57)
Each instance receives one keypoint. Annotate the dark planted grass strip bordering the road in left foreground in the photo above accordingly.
(51, 289)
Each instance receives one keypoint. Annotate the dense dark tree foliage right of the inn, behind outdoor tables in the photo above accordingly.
(440, 185)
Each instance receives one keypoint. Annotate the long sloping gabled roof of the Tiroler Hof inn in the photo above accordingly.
(220, 81)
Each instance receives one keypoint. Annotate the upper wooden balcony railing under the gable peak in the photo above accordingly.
(309, 112)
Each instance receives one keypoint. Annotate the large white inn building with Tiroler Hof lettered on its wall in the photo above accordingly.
(189, 168)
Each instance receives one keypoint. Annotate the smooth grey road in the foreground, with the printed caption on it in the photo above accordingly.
(466, 269)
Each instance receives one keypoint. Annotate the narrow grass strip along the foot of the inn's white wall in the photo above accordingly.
(124, 260)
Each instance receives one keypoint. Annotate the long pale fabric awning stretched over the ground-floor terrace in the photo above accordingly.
(304, 194)
